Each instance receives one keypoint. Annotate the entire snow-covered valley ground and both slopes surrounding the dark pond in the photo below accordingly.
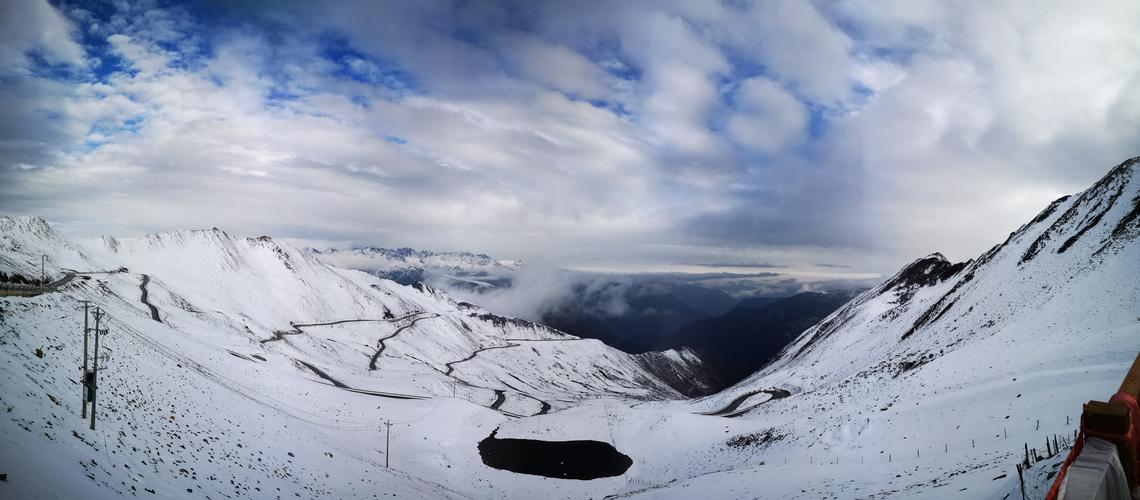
(926, 387)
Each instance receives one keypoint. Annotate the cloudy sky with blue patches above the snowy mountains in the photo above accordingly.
(637, 135)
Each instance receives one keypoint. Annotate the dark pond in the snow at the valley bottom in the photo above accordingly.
(563, 460)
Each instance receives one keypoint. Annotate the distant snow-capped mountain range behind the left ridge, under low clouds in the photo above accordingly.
(408, 266)
